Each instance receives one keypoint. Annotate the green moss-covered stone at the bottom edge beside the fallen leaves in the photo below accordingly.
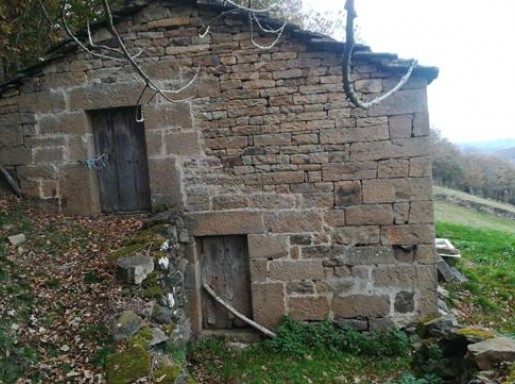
(128, 366)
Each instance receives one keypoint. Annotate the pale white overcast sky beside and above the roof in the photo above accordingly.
(470, 41)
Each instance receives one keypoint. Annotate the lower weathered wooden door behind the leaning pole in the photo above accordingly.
(225, 267)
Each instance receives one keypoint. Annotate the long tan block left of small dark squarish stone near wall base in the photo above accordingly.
(361, 306)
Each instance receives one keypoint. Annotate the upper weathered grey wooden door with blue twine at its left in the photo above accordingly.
(123, 179)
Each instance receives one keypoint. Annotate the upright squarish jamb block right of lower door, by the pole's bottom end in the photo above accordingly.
(268, 303)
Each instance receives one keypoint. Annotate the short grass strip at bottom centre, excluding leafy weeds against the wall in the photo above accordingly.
(215, 363)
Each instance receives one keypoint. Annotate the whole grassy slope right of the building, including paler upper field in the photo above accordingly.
(487, 244)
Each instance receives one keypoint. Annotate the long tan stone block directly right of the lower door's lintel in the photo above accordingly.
(293, 222)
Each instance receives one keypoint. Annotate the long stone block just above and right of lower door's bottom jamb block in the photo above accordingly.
(294, 270)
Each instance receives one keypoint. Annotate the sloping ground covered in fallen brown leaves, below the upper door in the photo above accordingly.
(56, 291)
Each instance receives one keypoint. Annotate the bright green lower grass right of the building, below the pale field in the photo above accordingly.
(488, 260)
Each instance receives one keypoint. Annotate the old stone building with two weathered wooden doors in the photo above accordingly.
(290, 199)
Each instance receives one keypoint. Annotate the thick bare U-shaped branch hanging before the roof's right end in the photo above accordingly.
(346, 65)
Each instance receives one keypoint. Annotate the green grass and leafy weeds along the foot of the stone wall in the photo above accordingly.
(306, 353)
